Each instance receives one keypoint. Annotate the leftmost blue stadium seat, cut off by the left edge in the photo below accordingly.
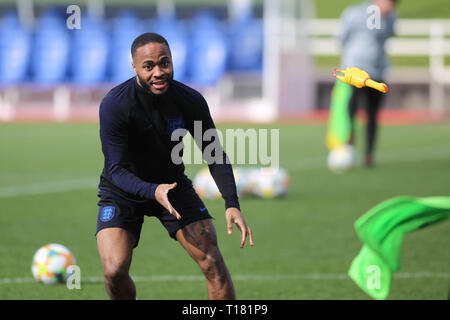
(14, 50)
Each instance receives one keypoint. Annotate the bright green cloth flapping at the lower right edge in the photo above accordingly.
(382, 229)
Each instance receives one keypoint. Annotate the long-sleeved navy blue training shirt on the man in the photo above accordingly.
(135, 132)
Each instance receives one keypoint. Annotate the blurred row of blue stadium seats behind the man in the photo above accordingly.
(203, 48)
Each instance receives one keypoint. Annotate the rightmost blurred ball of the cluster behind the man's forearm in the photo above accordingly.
(269, 183)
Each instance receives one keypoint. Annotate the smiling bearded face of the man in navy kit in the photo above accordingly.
(152, 64)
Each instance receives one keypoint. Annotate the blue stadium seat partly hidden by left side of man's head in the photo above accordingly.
(126, 26)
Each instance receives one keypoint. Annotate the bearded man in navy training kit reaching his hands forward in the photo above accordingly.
(139, 177)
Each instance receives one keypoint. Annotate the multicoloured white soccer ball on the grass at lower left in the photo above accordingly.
(50, 263)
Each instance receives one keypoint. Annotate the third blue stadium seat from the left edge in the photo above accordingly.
(89, 52)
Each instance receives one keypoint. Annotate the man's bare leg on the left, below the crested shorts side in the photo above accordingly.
(115, 246)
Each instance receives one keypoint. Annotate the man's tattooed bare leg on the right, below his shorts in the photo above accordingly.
(200, 241)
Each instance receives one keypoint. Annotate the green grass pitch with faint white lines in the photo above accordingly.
(304, 243)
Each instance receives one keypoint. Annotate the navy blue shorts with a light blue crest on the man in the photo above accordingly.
(116, 211)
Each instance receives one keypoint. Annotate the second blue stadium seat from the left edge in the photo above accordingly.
(50, 49)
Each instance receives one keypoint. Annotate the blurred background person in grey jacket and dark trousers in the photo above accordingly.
(364, 30)
